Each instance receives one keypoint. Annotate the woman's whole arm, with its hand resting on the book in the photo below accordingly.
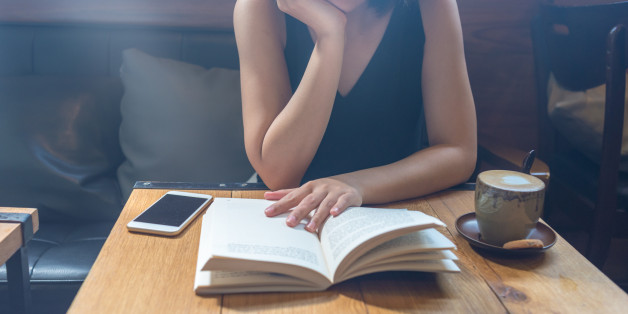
(451, 126)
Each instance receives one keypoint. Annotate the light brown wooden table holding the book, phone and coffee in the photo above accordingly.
(137, 273)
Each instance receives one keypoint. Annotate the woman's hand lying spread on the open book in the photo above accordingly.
(326, 196)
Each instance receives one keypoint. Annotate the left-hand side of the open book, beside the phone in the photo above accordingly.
(240, 233)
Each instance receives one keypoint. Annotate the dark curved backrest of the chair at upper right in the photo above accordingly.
(570, 42)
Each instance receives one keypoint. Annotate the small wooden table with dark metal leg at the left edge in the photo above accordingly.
(13, 253)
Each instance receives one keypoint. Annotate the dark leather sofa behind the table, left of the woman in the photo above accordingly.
(60, 95)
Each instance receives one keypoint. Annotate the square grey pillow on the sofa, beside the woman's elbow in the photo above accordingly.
(180, 122)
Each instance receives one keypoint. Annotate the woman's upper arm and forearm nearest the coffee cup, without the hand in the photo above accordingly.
(449, 114)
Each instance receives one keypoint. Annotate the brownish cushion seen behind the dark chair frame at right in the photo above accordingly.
(579, 116)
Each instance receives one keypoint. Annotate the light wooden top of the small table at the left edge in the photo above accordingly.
(11, 233)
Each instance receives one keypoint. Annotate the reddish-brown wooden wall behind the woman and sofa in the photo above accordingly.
(497, 43)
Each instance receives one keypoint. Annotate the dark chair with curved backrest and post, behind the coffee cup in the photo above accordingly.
(585, 46)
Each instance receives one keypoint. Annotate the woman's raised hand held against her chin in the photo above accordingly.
(323, 17)
